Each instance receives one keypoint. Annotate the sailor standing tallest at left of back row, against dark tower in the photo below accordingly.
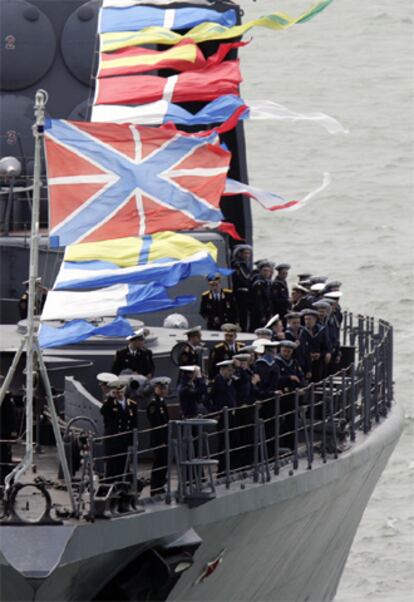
(242, 266)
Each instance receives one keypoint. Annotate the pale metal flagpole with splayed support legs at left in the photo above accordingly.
(31, 343)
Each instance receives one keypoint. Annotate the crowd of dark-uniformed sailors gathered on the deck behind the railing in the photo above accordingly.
(295, 342)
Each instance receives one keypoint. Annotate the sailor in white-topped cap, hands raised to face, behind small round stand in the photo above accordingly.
(192, 392)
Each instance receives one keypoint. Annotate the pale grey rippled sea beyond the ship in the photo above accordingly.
(354, 61)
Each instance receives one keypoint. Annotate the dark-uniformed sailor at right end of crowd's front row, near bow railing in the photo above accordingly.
(315, 337)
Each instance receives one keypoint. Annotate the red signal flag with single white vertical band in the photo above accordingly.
(201, 85)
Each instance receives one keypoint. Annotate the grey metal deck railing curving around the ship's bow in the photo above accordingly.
(252, 442)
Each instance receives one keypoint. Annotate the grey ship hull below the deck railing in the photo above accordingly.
(284, 540)
